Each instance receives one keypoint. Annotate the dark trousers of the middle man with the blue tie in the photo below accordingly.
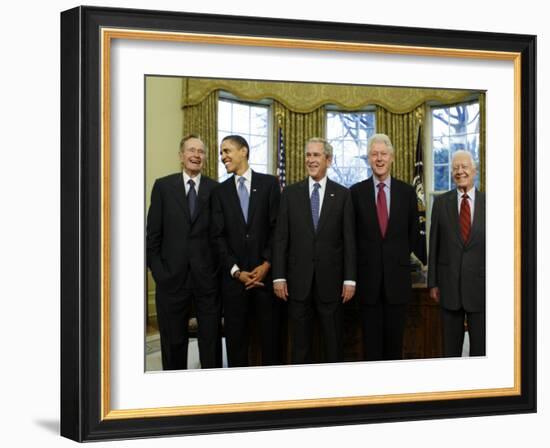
(301, 314)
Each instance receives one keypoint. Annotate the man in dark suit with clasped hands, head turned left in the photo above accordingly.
(245, 209)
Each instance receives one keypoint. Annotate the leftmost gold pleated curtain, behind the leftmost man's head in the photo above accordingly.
(202, 119)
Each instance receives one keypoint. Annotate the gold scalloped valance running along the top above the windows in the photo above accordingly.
(308, 97)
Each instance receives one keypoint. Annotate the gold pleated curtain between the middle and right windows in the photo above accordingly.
(403, 131)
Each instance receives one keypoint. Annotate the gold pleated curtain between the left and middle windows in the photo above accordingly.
(298, 128)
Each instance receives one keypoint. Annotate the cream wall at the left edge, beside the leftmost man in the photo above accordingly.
(163, 132)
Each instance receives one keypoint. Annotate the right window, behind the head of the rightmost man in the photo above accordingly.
(453, 128)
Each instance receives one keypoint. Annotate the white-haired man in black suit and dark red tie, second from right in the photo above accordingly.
(387, 232)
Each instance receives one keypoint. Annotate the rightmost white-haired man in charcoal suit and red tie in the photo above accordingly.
(456, 267)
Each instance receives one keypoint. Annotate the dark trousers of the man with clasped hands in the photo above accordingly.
(241, 310)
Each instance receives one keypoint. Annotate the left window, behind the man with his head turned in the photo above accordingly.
(250, 121)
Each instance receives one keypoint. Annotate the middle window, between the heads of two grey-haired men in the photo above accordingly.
(348, 133)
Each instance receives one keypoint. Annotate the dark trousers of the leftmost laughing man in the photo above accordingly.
(173, 312)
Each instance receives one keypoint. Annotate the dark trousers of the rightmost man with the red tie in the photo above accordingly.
(453, 332)
